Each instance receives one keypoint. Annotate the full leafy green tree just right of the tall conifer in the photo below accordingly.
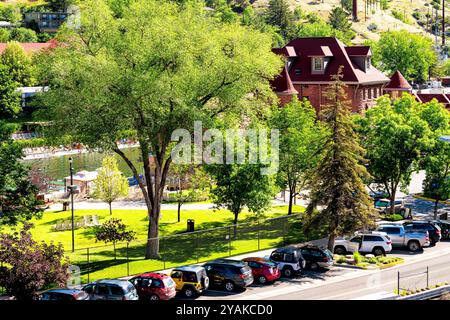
(396, 134)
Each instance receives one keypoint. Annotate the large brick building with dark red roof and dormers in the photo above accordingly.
(310, 63)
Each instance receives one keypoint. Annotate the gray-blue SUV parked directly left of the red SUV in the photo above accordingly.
(111, 289)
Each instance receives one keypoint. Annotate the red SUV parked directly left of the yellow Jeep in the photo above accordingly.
(154, 286)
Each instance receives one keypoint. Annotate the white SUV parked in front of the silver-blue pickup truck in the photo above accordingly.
(374, 242)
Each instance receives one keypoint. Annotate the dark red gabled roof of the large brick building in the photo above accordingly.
(305, 47)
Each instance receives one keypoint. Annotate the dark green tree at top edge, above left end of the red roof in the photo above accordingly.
(280, 15)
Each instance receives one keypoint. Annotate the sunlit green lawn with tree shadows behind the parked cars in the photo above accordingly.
(176, 247)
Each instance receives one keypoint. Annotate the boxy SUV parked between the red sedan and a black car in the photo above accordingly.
(289, 260)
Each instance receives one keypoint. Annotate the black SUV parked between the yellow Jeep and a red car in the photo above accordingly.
(229, 274)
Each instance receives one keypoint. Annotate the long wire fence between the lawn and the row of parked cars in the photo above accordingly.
(186, 248)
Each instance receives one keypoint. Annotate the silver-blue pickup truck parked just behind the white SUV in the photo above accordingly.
(413, 240)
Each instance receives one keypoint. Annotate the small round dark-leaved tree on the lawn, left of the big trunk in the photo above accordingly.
(113, 231)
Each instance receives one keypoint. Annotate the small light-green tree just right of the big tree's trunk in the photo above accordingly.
(196, 179)
